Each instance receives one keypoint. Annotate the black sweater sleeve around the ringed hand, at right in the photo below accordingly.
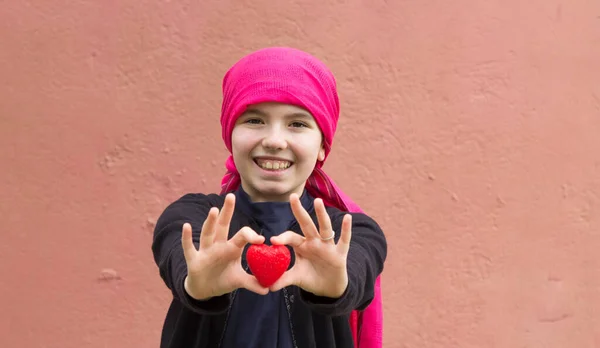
(366, 256)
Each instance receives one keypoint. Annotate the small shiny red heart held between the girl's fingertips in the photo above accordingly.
(268, 263)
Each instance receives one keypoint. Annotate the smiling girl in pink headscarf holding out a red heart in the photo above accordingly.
(279, 115)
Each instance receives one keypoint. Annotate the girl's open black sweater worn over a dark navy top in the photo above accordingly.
(315, 321)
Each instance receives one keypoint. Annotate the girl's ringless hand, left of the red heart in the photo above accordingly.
(215, 268)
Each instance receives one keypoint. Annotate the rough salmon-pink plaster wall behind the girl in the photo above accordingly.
(470, 131)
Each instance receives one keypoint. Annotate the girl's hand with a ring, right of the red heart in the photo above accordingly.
(320, 266)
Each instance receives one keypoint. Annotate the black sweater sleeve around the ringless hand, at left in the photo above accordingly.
(168, 252)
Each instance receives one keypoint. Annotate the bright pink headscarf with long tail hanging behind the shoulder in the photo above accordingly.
(290, 76)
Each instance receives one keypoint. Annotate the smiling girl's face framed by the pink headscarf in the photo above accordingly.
(275, 149)
